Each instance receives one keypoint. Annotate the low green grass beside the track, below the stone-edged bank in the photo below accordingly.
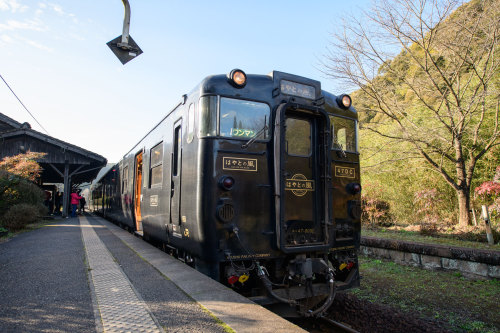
(465, 305)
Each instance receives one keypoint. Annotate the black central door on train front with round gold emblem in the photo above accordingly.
(302, 174)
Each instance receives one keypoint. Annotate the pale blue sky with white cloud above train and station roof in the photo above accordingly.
(53, 55)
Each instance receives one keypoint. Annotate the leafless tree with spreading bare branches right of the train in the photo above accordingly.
(440, 93)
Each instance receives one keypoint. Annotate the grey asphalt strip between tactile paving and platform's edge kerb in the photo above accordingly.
(174, 310)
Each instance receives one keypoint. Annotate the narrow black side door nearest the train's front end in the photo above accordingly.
(176, 169)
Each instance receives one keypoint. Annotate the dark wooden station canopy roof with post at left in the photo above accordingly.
(63, 163)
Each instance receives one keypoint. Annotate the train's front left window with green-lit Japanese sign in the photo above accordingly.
(244, 119)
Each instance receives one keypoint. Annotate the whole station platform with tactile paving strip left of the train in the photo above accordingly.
(85, 274)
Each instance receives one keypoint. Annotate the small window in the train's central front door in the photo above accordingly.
(298, 137)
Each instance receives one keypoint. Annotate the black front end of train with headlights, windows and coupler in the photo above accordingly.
(287, 198)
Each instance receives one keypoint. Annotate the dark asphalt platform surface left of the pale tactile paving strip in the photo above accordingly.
(43, 281)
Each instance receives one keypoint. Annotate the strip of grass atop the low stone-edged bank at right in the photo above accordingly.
(414, 236)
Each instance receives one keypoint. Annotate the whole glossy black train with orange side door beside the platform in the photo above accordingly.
(253, 180)
